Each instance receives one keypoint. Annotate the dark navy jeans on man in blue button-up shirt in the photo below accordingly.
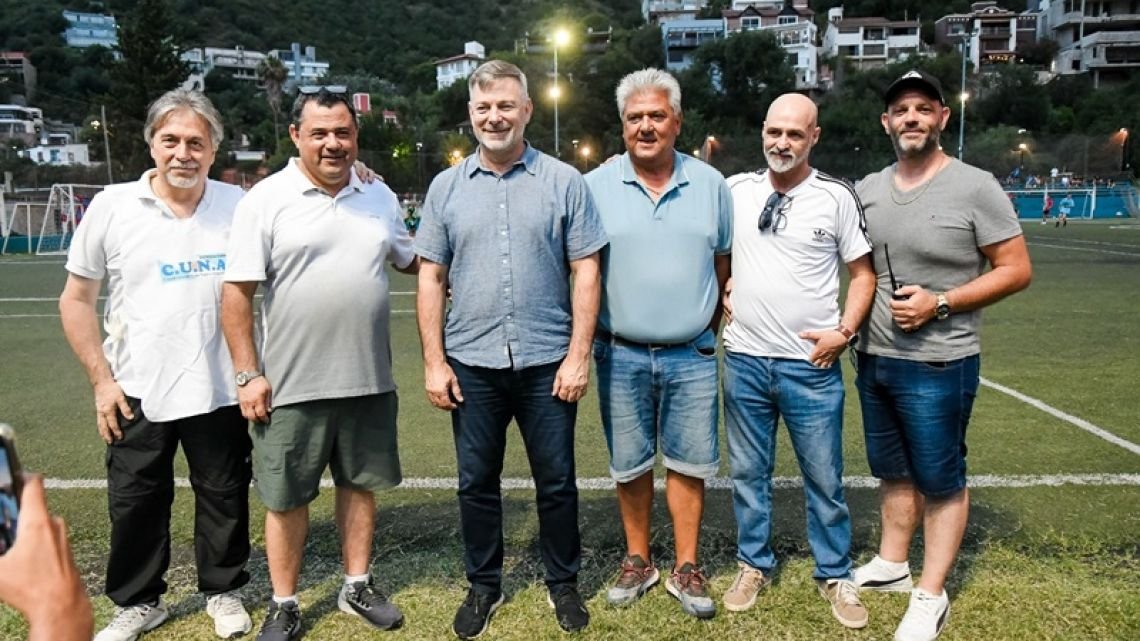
(492, 399)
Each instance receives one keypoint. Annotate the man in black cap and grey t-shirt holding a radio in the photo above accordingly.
(935, 223)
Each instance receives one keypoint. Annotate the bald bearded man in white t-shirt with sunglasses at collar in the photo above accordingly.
(794, 228)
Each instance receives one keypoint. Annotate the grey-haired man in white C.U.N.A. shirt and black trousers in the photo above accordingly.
(164, 377)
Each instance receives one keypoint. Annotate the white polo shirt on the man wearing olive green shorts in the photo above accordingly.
(322, 258)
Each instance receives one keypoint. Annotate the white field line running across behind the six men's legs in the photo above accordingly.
(720, 483)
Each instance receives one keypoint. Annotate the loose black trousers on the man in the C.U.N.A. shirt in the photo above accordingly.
(141, 490)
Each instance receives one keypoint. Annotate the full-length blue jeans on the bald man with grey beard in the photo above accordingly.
(758, 392)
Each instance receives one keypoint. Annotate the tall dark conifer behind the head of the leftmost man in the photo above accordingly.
(150, 68)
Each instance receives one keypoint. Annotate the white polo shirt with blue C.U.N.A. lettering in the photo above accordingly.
(165, 343)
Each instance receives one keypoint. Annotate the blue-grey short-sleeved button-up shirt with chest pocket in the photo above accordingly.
(508, 242)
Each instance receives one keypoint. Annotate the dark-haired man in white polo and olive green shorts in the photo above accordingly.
(319, 385)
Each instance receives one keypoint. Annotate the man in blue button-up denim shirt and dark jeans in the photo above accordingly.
(506, 230)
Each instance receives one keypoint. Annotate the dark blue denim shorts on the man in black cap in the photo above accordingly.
(915, 419)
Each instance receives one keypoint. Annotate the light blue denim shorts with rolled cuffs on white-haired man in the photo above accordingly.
(665, 395)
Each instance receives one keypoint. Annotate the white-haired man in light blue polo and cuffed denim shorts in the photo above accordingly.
(669, 217)
